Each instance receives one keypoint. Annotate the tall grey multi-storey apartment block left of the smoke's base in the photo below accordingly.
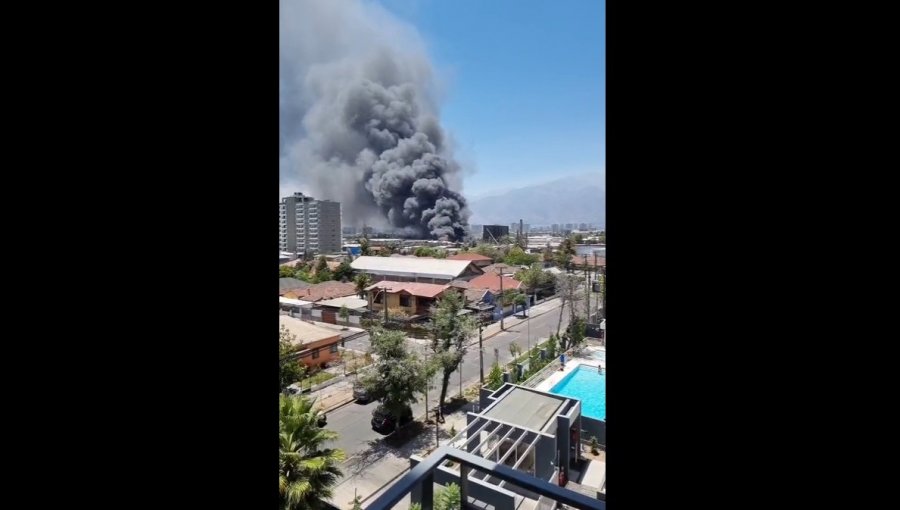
(309, 225)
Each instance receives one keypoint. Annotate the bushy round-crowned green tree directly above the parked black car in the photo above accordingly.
(397, 375)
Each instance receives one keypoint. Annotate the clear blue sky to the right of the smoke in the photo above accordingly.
(524, 85)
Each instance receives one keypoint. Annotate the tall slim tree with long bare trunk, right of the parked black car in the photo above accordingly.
(450, 333)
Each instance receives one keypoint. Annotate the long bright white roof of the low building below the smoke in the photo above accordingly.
(416, 269)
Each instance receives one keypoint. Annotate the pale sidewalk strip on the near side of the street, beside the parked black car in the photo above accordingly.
(371, 474)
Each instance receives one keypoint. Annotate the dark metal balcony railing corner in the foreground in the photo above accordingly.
(421, 478)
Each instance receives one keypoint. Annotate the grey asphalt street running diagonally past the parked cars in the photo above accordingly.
(352, 422)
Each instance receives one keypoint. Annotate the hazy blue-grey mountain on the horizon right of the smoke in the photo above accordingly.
(576, 199)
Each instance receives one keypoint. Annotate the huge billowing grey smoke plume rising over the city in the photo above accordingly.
(359, 123)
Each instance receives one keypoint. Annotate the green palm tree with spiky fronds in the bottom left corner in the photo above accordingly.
(307, 472)
